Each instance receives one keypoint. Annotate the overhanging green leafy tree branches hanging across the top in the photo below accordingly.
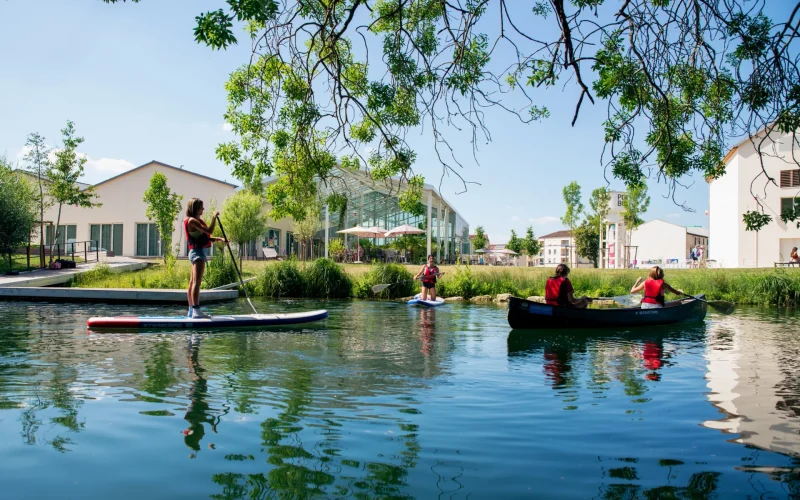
(344, 82)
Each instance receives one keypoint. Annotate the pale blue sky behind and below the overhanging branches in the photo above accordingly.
(139, 88)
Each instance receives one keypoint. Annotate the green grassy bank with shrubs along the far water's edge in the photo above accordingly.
(323, 278)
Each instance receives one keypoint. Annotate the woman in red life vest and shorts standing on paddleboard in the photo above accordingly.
(198, 236)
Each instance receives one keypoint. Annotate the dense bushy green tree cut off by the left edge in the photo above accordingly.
(18, 206)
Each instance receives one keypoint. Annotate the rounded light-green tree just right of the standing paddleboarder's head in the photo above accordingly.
(244, 219)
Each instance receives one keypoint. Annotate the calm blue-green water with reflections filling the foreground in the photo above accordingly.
(383, 400)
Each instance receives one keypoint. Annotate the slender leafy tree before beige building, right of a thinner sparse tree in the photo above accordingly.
(64, 174)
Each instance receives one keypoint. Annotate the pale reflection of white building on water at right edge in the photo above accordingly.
(752, 384)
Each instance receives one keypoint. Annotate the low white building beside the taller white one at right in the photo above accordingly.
(666, 244)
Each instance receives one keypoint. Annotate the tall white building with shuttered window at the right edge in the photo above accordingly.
(730, 196)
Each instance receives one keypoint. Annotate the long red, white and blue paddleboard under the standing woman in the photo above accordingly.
(215, 322)
